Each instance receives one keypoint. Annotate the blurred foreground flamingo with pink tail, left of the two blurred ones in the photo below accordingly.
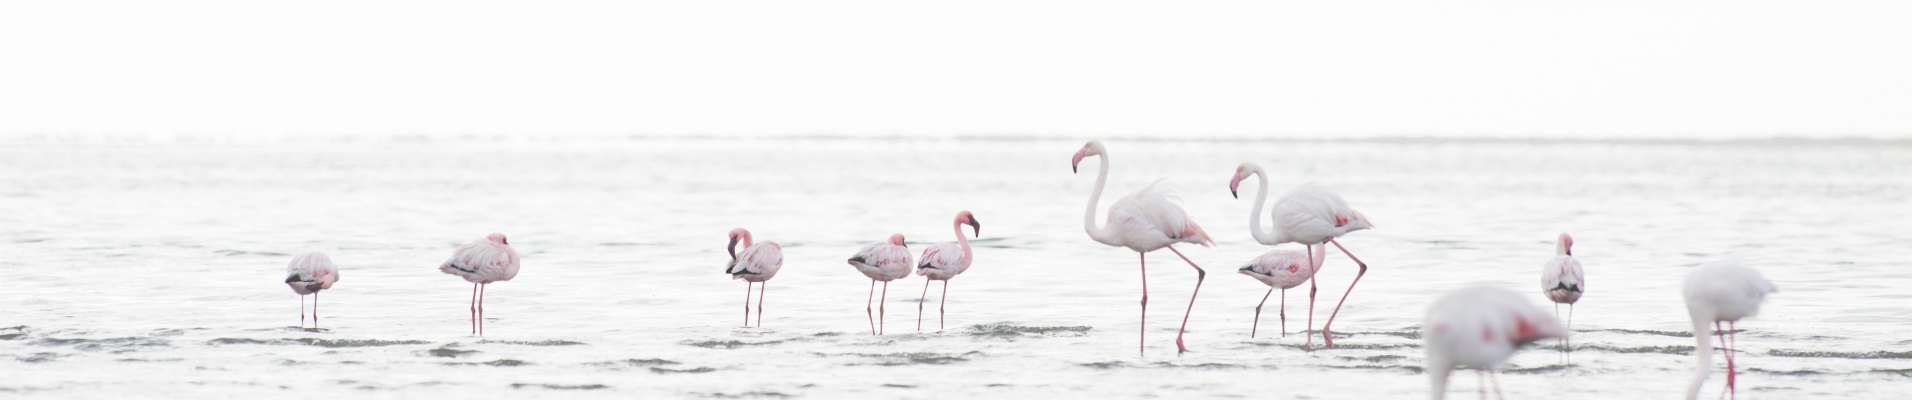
(1481, 328)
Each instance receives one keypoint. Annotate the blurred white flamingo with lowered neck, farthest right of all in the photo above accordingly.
(1722, 292)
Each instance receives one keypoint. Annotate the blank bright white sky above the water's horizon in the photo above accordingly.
(1091, 68)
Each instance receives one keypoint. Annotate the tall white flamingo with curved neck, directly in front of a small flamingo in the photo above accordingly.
(1309, 215)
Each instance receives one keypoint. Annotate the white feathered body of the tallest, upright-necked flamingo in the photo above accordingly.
(1154, 219)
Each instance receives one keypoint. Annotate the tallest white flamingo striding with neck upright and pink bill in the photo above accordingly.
(1144, 221)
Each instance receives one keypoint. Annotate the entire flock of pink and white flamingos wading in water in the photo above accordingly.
(1475, 328)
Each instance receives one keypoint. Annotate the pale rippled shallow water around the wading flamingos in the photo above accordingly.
(156, 271)
